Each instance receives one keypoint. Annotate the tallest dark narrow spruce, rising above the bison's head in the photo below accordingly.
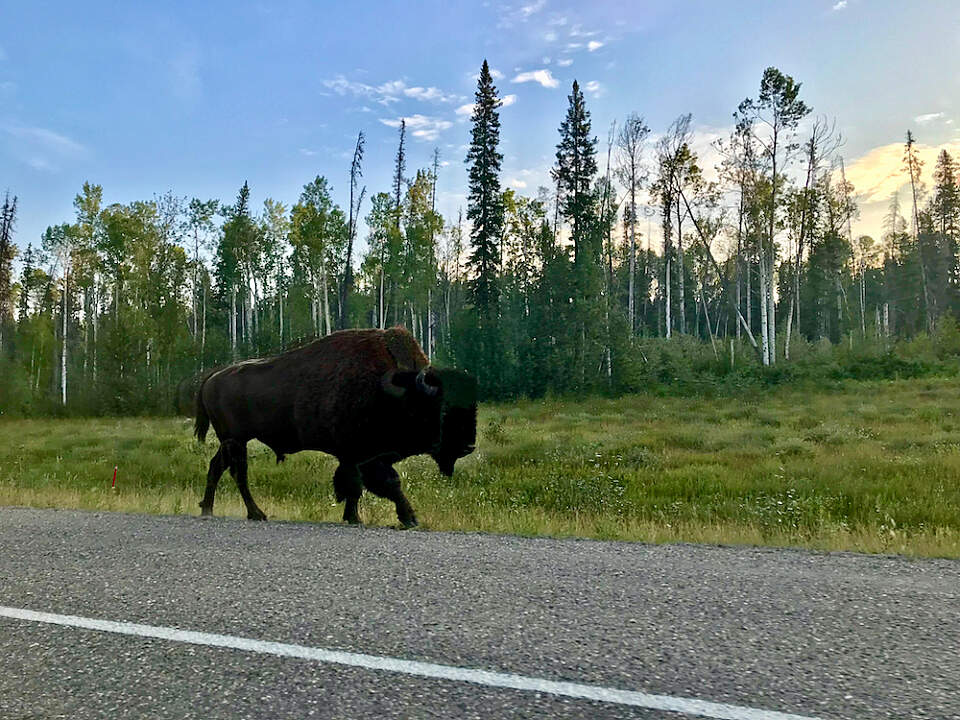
(485, 201)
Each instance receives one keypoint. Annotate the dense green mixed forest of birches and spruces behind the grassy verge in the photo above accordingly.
(558, 293)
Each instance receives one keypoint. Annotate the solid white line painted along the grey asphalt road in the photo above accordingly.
(687, 706)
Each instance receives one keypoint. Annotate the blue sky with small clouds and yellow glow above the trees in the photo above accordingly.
(196, 98)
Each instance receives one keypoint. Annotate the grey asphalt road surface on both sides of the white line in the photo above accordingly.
(817, 635)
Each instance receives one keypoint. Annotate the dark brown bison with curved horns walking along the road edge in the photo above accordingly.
(367, 397)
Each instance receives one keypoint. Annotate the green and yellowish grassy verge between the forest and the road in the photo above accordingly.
(871, 467)
